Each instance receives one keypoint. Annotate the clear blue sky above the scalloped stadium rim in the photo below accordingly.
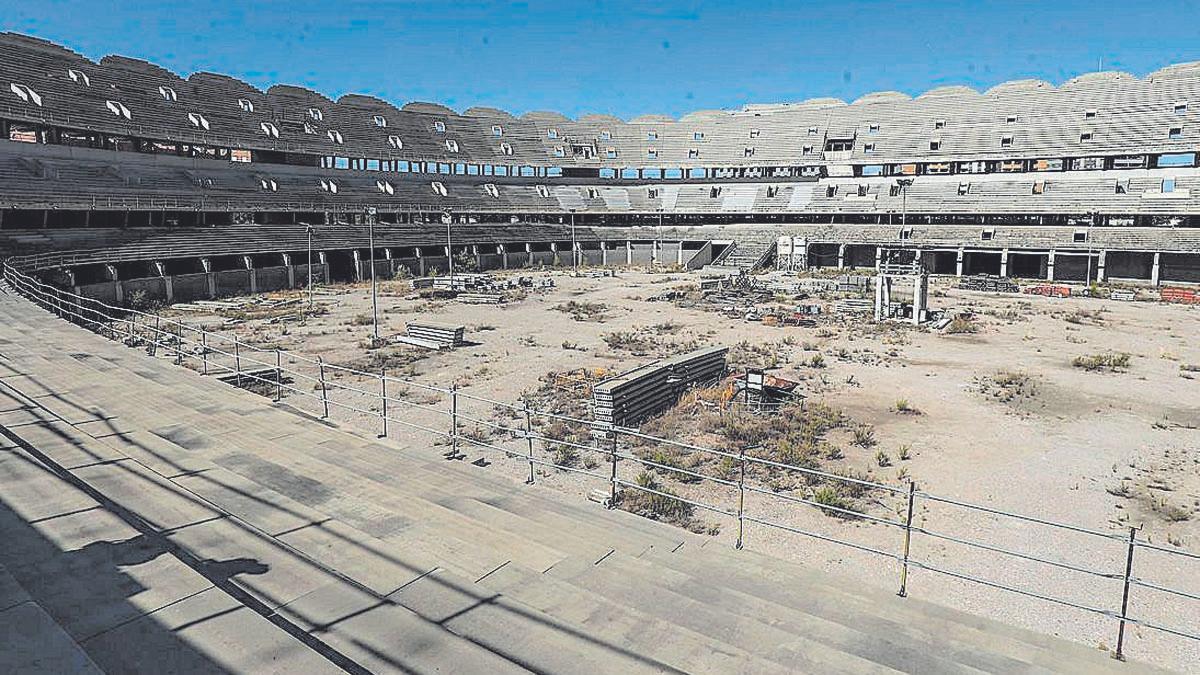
(623, 58)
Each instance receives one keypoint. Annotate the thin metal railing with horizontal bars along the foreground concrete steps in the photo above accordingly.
(173, 337)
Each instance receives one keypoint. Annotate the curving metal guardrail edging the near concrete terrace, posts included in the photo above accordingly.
(274, 372)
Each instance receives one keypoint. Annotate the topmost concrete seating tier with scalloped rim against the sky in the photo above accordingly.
(1096, 115)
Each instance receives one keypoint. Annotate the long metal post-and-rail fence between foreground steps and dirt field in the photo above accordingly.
(520, 433)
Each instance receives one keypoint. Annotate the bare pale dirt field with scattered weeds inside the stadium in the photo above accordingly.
(1079, 411)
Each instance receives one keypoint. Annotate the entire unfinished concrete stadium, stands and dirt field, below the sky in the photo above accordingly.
(301, 385)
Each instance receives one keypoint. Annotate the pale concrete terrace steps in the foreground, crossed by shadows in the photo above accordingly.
(157, 521)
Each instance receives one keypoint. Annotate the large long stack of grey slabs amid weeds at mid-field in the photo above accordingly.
(650, 390)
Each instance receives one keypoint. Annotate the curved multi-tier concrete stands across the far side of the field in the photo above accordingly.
(1096, 178)
